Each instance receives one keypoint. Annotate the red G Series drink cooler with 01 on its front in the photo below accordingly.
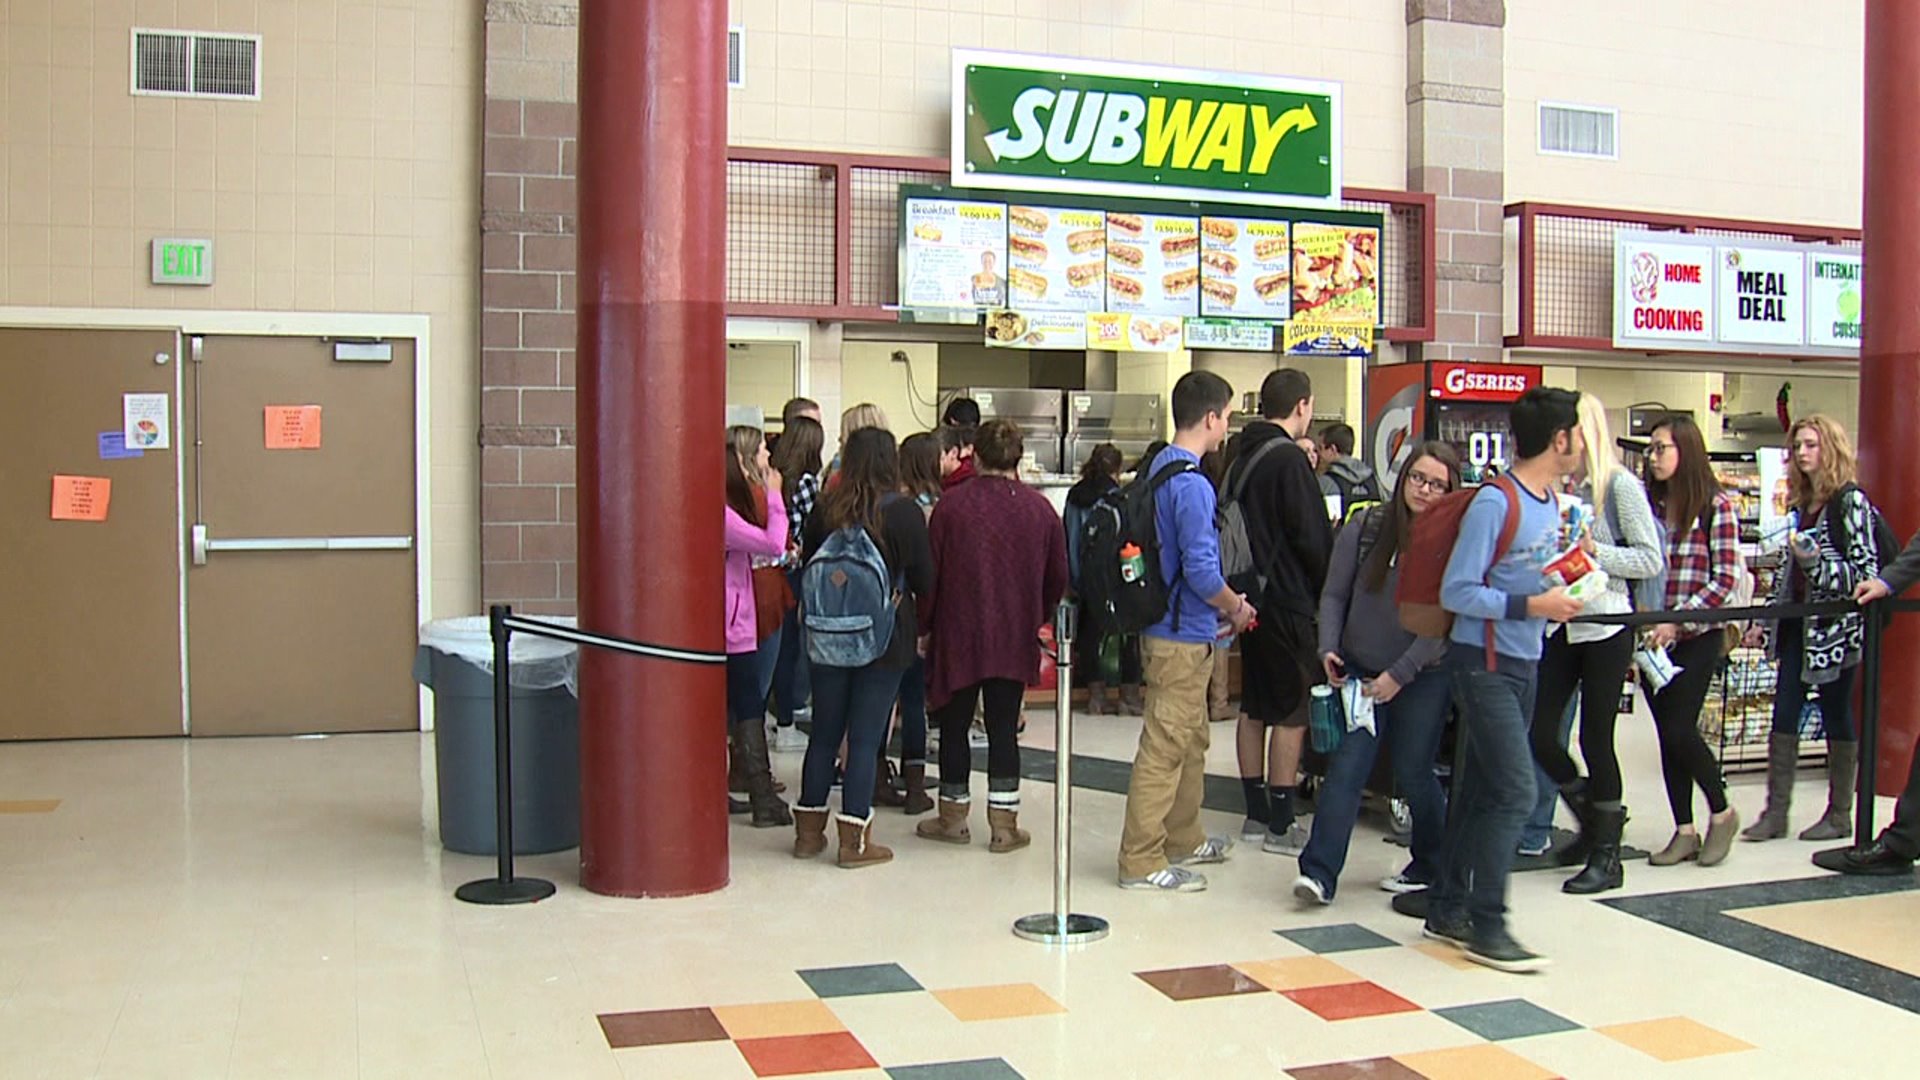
(1460, 405)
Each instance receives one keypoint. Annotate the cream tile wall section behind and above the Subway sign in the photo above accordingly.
(875, 76)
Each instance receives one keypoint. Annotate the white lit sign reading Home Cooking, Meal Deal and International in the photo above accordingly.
(1696, 295)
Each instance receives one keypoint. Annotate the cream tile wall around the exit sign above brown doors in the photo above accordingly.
(352, 185)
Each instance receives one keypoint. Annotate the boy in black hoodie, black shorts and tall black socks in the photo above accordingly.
(1280, 660)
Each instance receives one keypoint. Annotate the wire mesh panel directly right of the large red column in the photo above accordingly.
(779, 233)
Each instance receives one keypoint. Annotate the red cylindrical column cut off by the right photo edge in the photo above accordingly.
(1890, 356)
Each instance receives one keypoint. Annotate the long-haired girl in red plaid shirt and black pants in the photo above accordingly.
(1702, 570)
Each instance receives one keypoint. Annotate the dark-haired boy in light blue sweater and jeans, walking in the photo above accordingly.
(1495, 789)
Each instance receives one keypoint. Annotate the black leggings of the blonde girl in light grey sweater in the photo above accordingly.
(1598, 670)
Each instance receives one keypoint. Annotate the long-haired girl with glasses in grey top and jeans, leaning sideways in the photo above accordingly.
(1362, 639)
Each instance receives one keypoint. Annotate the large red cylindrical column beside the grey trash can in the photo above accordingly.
(652, 391)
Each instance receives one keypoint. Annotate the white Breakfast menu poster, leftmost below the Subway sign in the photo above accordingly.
(955, 255)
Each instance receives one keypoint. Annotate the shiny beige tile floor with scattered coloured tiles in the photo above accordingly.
(283, 908)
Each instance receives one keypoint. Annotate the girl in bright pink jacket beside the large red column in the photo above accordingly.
(756, 526)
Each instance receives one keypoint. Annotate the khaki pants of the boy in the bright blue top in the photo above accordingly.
(1170, 768)
